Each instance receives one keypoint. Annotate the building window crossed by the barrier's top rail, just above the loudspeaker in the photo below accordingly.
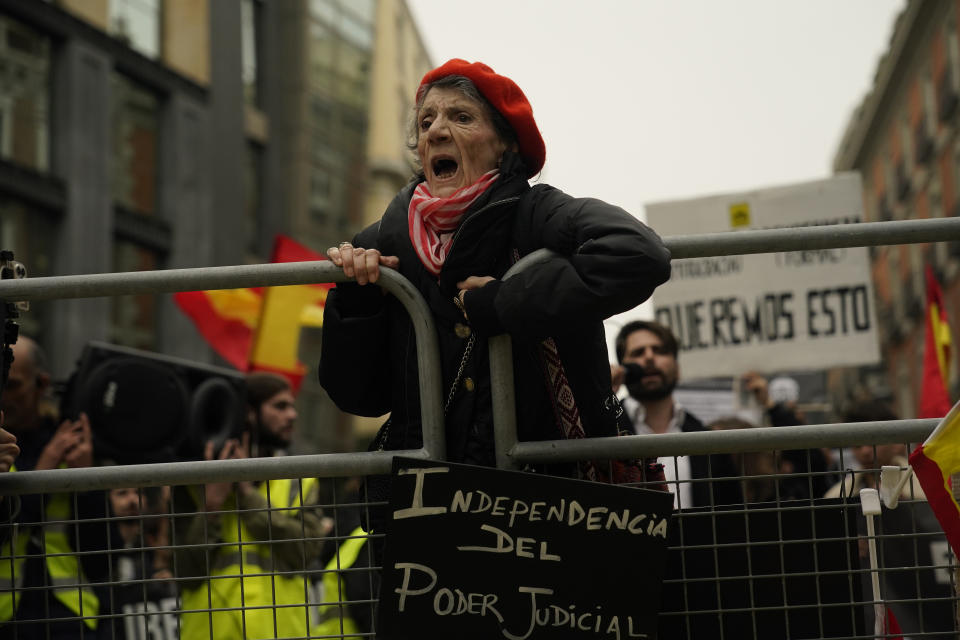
(134, 318)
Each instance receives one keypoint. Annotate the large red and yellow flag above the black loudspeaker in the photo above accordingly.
(259, 329)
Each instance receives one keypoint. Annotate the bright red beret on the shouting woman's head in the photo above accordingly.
(507, 98)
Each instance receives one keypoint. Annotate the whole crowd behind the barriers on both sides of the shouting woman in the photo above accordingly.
(150, 563)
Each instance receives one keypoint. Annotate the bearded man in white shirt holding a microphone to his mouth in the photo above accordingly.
(647, 353)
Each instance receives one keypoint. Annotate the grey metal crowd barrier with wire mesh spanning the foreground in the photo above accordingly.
(736, 572)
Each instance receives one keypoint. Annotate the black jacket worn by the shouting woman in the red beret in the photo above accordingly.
(609, 262)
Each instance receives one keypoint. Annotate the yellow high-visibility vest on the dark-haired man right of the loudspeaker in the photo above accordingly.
(247, 599)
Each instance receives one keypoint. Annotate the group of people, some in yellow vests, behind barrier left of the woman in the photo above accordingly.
(158, 563)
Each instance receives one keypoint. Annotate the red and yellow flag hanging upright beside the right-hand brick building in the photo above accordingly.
(935, 394)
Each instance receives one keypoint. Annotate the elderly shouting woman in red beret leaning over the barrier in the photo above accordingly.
(453, 232)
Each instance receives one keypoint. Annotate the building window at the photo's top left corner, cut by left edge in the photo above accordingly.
(24, 95)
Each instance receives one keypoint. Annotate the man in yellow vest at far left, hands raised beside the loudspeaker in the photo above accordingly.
(48, 574)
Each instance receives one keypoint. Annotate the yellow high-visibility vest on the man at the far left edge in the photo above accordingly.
(67, 580)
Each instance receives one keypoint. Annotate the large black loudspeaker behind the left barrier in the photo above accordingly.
(147, 407)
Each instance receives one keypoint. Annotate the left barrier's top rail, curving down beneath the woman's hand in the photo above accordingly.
(261, 275)
